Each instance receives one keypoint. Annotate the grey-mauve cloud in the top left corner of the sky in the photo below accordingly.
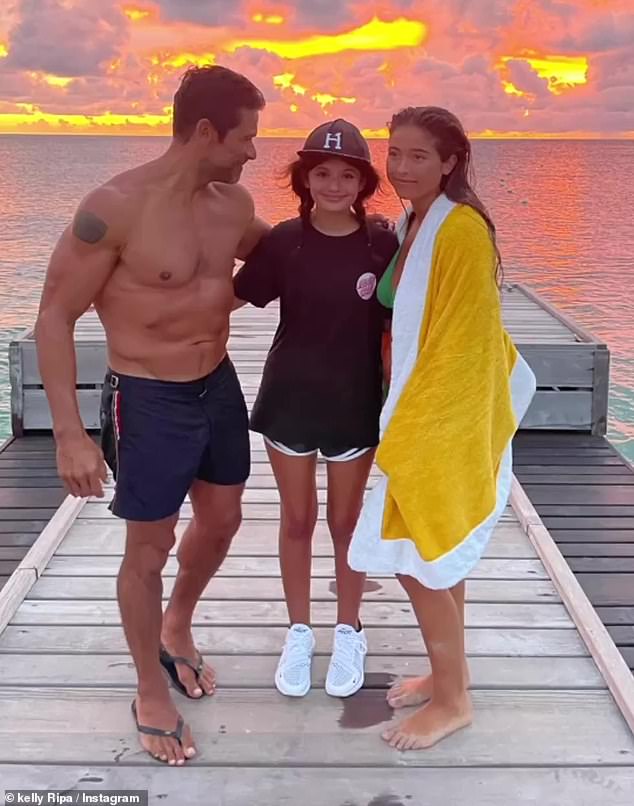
(66, 40)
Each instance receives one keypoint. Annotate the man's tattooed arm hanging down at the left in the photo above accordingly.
(80, 266)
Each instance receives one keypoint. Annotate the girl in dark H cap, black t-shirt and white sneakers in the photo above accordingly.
(321, 390)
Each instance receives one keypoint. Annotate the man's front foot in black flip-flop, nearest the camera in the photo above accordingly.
(161, 715)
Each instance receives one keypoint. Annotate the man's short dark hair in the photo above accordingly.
(216, 94)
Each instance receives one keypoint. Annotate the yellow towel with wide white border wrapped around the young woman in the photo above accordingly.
(460, 390)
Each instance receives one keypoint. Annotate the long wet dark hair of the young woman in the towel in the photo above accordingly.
(450, 138)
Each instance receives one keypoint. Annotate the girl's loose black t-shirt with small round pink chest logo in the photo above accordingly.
(322, 380)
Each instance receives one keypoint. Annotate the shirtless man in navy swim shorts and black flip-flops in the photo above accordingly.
(153, 249)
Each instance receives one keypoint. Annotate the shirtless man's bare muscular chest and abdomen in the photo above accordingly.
(166, 305)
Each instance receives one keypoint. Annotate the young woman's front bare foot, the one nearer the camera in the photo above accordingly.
(429, 725)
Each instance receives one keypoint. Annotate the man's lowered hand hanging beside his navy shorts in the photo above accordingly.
(81, 466)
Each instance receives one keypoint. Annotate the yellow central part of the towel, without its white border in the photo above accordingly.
(442, 448)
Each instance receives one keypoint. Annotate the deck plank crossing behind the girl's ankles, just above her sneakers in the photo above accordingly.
(274, 614)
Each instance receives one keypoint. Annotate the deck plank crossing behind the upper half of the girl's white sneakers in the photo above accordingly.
(237, 640)
